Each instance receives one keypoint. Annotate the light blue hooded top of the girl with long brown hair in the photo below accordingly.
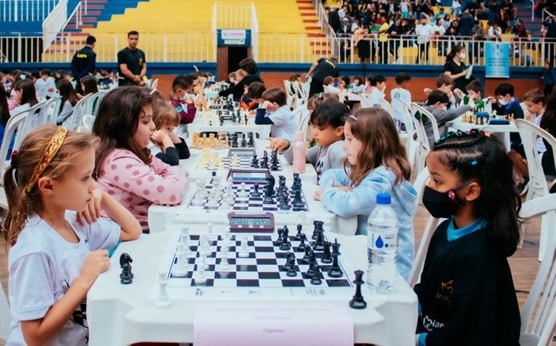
(361, 200)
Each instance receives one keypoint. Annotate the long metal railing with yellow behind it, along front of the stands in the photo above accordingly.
(272, 48)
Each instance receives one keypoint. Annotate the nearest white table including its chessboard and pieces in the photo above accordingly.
(180, 274)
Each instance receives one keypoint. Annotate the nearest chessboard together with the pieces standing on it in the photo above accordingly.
(212, 261)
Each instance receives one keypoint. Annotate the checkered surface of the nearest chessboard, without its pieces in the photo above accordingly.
(261, 266)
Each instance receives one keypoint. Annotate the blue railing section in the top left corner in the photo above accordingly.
(25, 10)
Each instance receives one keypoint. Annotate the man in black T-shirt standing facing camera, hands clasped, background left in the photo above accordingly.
(132, 63)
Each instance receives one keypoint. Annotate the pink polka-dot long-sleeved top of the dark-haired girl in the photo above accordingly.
(137, 185)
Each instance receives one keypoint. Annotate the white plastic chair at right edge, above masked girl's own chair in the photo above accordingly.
(537, 186)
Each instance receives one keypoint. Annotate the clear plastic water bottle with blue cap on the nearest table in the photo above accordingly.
(382, 246)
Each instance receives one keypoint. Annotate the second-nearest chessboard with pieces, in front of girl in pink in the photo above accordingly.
(244, 199)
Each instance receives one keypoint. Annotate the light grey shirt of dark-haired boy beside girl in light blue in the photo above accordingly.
(322, 158)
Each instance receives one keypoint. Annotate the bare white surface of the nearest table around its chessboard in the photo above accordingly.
(124, 314)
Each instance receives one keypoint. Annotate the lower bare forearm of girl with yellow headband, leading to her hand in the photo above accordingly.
(40, 331)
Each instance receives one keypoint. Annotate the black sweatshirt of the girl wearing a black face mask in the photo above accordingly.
(466, 294)
